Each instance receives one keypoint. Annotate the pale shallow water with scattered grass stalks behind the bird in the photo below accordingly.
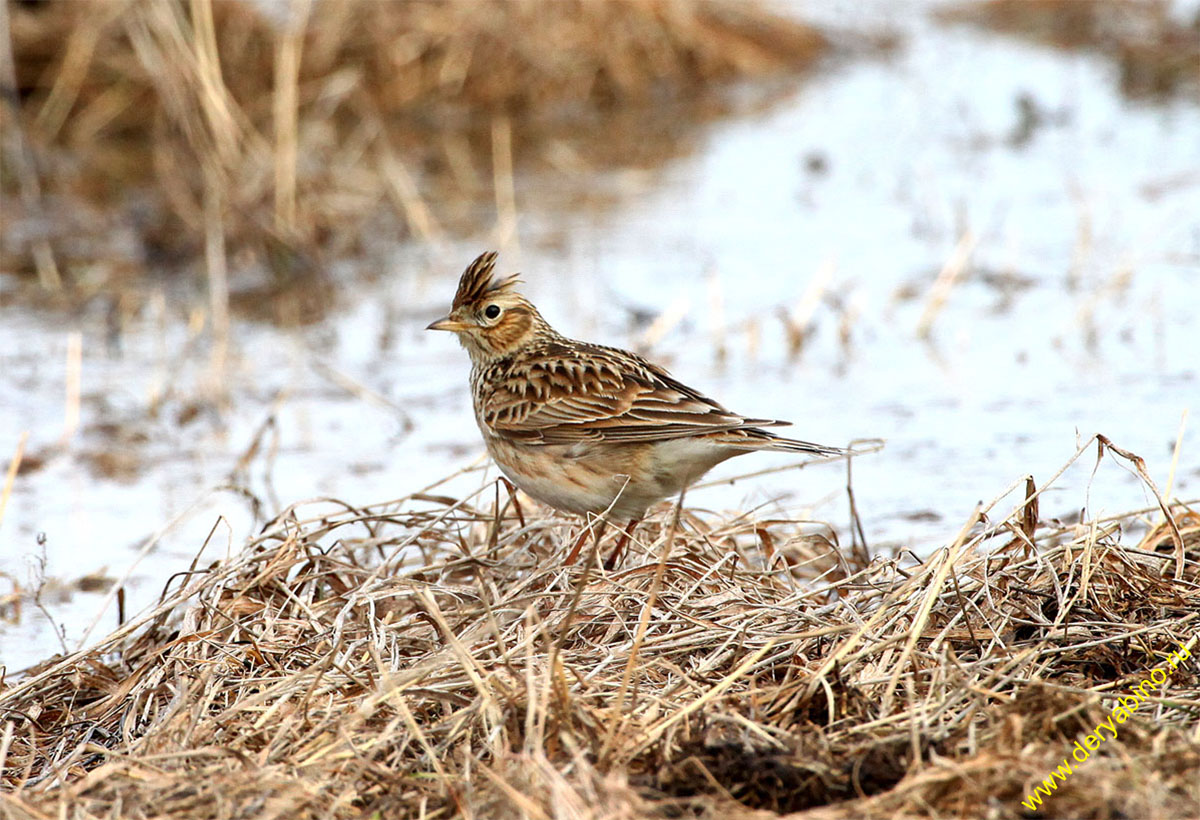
(1076, 315)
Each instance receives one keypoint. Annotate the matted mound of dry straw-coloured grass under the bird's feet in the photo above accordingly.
(433, 657)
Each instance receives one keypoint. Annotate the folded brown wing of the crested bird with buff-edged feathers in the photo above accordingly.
(590, 393)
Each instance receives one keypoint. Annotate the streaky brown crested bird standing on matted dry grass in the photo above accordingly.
(584, 428)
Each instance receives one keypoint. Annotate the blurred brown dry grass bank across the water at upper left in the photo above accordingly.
(152, 134)
